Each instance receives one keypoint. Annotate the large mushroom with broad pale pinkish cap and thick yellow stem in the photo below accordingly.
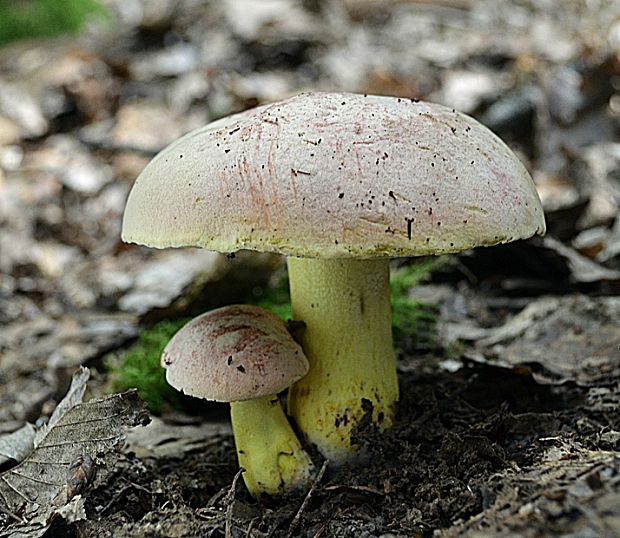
(339, 183)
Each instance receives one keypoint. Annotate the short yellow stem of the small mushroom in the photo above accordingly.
(267, 447)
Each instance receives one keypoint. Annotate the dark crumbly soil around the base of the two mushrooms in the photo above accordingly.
(482, 444)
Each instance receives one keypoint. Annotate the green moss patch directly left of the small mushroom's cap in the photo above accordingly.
(139, 367)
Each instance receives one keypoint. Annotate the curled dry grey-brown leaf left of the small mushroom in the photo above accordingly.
(39, 486)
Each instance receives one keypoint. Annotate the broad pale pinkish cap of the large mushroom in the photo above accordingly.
(336, 175)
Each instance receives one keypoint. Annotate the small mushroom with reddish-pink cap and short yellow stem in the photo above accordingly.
(244, 355)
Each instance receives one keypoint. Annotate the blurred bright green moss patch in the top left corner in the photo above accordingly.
(28, 19)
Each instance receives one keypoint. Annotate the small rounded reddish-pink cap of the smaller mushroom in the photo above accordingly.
(233, 353)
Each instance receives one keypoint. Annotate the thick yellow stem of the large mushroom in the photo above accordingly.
(345, 304)
